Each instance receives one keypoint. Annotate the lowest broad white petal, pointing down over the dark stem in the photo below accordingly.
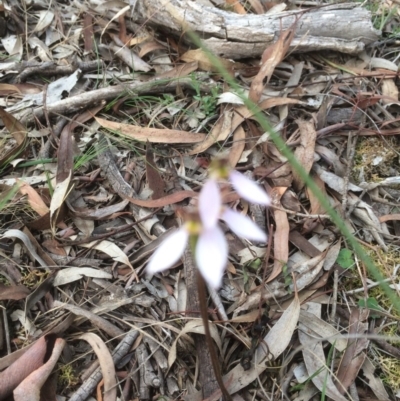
(212, 255)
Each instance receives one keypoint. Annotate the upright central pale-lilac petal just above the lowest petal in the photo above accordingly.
(209, 204)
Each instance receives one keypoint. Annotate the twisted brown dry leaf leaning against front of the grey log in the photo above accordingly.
(271, 57)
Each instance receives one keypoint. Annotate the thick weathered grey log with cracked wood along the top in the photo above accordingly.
(341, 27)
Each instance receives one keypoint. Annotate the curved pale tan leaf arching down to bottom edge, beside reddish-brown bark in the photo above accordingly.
(106, 365)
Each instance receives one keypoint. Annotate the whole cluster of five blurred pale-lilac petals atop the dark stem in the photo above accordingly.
(211, 249)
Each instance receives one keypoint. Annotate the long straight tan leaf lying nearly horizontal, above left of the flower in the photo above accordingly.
(154, 135)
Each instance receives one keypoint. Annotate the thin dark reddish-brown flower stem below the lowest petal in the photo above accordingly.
(214, 357)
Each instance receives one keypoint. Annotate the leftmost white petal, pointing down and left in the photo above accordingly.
(169, 252)
